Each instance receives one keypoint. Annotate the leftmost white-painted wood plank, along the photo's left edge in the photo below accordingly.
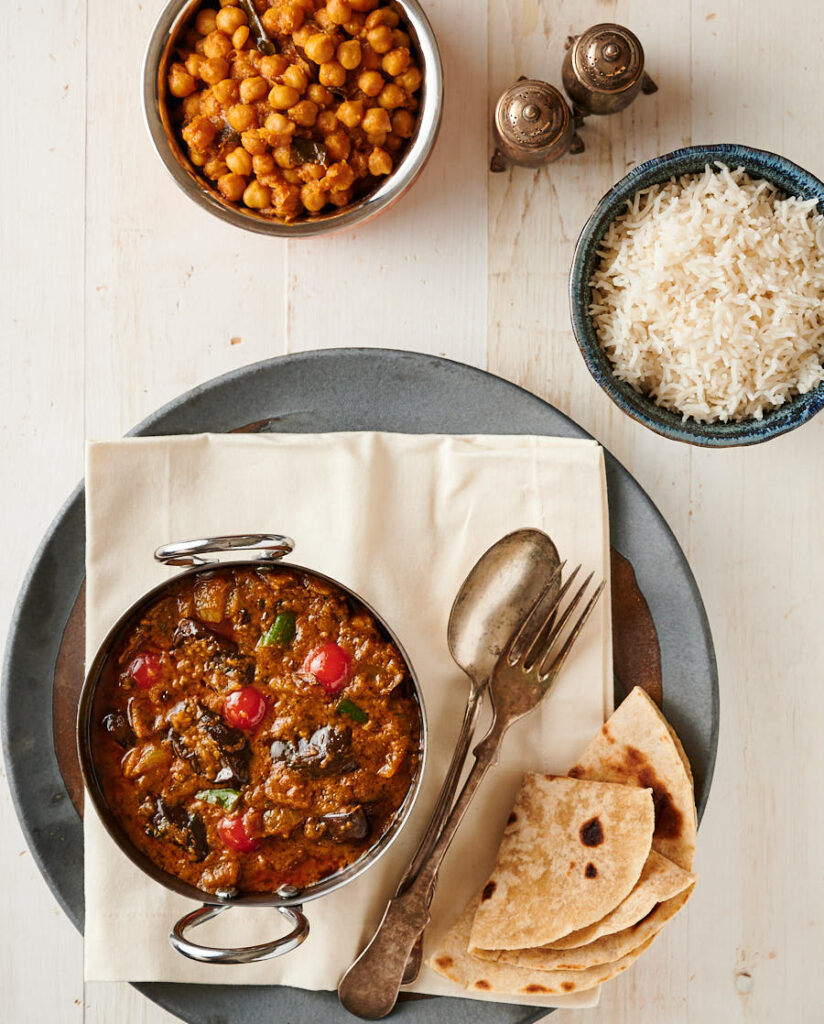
(41, 263)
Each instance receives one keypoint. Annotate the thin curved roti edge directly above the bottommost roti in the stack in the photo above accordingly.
(608, 950)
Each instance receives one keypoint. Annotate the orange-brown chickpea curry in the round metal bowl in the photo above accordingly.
(314, 126)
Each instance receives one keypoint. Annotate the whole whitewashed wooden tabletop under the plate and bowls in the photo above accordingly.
(120, 294)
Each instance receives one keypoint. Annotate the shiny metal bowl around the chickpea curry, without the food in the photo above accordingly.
(176, 16)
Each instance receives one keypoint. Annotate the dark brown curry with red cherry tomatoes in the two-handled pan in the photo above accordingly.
(255, 729)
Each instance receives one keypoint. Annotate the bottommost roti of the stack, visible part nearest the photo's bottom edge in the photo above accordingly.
(453, 961)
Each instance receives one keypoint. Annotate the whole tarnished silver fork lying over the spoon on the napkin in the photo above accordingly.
(526, 672)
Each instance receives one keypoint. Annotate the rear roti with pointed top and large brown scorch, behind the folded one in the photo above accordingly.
(637, 747)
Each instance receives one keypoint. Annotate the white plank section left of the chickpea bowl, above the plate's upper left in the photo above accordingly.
(168, 286)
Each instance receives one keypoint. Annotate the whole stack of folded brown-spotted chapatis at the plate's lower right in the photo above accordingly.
(590, 870)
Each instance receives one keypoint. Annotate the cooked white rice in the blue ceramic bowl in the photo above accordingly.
(709, 295)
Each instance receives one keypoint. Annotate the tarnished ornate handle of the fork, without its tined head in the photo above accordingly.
(370, 989)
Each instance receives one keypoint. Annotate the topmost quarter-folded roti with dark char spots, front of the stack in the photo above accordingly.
(572, 851)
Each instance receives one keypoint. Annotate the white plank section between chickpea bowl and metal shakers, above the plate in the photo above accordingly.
(415, 277)
